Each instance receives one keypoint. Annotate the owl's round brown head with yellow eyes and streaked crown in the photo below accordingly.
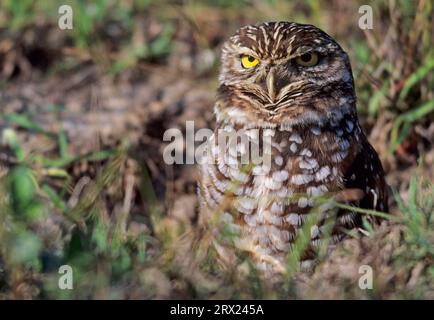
(283, 73)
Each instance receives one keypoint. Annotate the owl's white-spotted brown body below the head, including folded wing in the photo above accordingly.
(267, 203)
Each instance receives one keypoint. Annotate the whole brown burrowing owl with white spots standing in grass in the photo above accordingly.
(293, 84)
